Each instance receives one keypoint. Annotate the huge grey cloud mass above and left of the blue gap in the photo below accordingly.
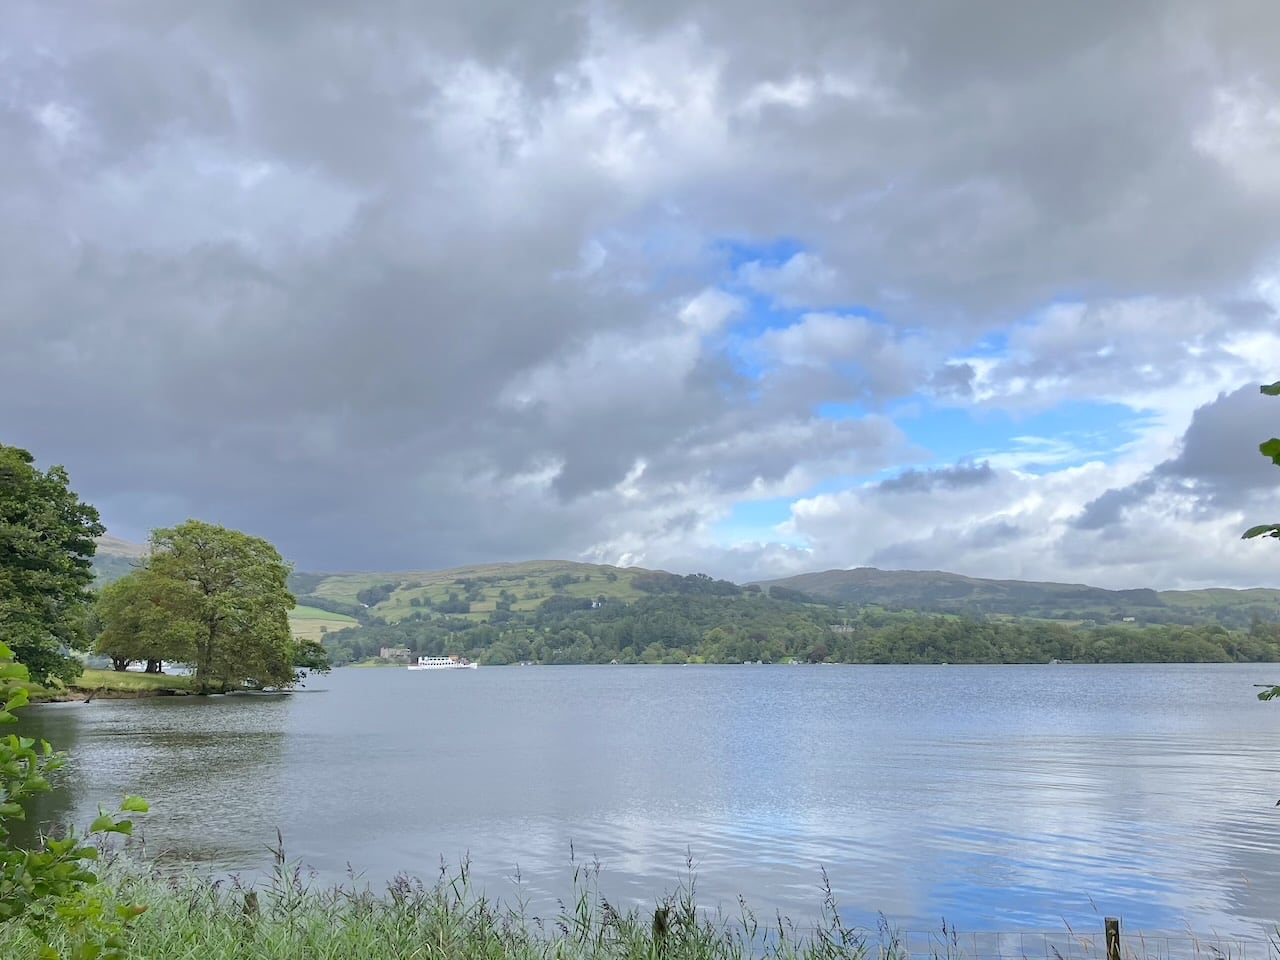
(284, 266)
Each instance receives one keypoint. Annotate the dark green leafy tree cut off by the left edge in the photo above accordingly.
(47, 547)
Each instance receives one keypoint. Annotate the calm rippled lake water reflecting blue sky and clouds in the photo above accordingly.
(999, 798)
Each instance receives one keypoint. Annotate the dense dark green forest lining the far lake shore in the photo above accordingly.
(705, 621)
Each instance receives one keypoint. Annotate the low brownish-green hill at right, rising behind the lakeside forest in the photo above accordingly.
(953, 593)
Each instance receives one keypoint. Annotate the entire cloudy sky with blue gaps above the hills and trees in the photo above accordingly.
(748, 289)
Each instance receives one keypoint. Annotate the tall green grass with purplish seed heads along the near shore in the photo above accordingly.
(196, 917)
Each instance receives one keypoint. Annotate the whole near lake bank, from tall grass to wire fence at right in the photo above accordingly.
(286, 917)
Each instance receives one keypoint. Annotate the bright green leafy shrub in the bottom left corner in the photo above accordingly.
(49, 895)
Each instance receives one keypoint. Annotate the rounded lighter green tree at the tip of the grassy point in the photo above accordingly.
(227, 592)
